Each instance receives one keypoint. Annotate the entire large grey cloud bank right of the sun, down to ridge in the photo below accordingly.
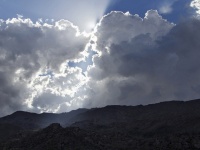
(144, 61)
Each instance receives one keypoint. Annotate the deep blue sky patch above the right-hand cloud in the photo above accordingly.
(179, 8)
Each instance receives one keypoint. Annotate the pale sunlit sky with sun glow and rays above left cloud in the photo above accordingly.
(84, 14)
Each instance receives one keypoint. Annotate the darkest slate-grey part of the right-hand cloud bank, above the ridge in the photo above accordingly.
(170, 66)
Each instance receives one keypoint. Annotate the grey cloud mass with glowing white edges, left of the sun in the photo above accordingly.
(29, 50)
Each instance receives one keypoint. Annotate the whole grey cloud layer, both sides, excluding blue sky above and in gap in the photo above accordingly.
(138, 61)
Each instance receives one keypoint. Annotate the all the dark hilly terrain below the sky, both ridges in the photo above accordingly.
(167, 125)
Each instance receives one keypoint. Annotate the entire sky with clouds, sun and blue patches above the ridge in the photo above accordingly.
(57, 56)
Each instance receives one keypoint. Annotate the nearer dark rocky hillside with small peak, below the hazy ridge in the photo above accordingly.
(56, 137)
